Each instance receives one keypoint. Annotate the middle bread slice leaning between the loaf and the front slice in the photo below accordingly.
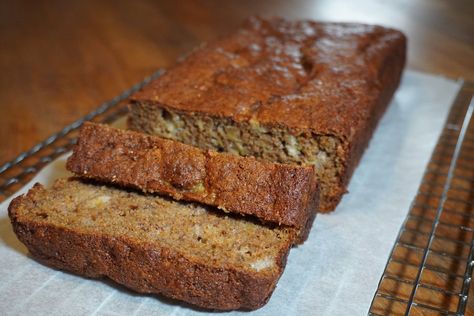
(283, 194)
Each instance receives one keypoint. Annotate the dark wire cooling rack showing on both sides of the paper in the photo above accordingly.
(430, 267)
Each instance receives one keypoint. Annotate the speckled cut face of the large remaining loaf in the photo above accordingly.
(273, 143)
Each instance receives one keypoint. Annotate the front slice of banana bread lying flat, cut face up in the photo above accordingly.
(152, 244)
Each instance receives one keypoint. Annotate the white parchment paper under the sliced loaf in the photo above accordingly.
(335, 272)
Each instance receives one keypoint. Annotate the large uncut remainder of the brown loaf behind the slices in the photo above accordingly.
(291, 92)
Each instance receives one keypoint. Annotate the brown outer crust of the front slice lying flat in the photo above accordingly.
(140, 266)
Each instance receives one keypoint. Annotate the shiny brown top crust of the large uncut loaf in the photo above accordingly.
(303, 75)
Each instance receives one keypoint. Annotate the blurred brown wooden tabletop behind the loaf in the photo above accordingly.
(60, 59)
